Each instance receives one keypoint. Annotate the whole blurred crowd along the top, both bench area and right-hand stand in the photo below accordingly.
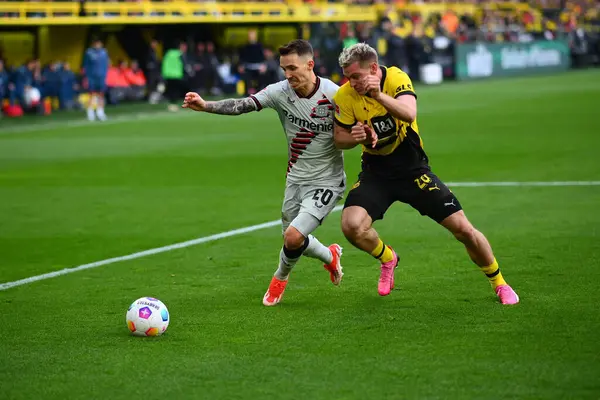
(403, 38)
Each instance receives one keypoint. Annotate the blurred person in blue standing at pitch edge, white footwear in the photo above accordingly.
(95, 64)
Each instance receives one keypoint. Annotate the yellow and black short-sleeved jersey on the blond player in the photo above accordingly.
(399, 150)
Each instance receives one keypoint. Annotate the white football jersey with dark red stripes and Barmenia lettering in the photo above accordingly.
(308, 125)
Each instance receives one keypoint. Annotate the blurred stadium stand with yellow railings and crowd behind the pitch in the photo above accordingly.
(230, 45)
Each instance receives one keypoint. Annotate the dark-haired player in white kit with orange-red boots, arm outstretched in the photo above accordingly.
(315, 178)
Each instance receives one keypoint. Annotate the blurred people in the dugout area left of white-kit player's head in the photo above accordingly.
(187, 65)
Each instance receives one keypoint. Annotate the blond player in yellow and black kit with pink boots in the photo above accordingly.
(377, 108)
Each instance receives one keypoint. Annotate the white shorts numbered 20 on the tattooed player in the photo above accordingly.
(317, 201)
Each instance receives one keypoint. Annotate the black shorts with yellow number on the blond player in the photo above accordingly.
(425, 192)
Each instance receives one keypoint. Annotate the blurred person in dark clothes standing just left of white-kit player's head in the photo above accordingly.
(253, 64)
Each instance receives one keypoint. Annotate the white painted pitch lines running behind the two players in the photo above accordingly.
(248, 229)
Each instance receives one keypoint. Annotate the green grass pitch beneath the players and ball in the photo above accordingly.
(72, 193)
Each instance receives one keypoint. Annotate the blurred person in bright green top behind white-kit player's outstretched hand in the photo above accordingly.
(173, 72)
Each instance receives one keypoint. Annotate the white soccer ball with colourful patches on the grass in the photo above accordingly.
(147, 316)
